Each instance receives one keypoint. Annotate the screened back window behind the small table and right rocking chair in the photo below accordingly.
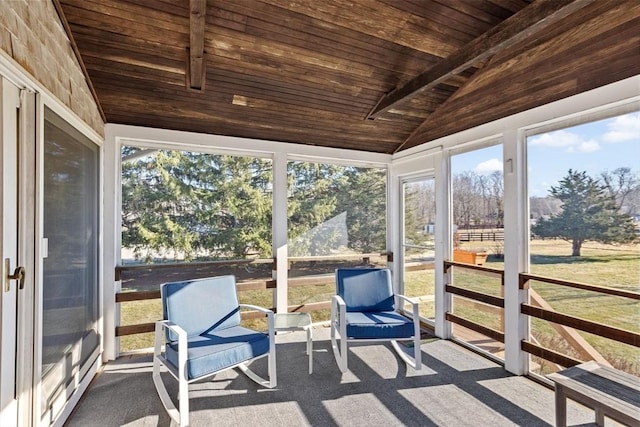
(336, 218)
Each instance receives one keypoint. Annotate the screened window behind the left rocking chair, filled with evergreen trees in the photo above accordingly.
(186, 215)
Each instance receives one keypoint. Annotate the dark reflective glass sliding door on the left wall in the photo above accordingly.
(69, 329)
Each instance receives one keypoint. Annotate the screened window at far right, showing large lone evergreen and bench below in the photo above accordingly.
(584, 202)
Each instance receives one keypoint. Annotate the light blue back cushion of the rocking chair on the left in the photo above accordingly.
(201, 305)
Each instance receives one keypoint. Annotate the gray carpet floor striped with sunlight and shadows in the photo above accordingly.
(456, 387)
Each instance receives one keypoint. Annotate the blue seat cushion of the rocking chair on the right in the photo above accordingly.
(380, 324)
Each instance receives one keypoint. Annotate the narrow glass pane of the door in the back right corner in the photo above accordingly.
(418, 243)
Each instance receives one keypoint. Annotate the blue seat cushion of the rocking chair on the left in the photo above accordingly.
(220, 349)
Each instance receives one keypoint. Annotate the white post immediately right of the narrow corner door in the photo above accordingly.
(443, 301)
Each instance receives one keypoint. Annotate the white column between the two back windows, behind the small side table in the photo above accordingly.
(279, 224)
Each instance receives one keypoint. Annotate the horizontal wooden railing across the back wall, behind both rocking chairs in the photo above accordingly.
(248, 285)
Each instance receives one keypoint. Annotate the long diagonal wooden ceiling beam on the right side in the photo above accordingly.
(534, 18)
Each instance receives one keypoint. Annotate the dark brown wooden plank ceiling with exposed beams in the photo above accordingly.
(373, 75)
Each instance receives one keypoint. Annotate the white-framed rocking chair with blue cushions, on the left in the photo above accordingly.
(202, 336)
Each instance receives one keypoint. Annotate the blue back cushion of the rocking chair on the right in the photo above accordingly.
(365, 289)
